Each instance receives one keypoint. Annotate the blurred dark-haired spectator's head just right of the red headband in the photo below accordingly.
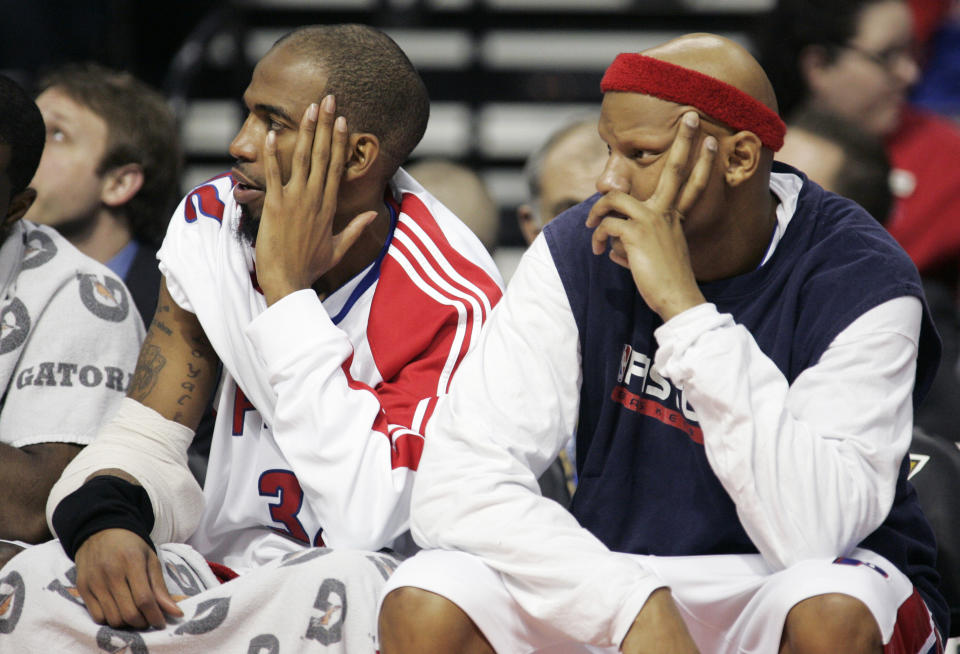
(840, 157)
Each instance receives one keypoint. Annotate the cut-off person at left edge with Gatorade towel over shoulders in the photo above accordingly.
(68, 338)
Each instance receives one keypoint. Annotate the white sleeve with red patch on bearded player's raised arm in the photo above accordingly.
(354, 449)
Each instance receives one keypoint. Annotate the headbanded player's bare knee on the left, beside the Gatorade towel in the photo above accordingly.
(418, 621)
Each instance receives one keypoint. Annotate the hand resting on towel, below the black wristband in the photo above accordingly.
(121, 582)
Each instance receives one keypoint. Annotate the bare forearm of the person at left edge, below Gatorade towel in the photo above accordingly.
(28, 474)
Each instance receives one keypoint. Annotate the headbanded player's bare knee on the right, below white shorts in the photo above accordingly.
(831, 623)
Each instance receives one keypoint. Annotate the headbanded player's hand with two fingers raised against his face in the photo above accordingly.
(647, 236)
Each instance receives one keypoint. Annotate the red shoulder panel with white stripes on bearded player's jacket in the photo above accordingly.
(421, 323)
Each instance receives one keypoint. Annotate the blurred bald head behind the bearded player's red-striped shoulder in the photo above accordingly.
(463, 192)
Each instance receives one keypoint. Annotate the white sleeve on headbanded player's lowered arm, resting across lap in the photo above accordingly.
(512, 406)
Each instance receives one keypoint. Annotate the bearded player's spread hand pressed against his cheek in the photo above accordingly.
(296, 244)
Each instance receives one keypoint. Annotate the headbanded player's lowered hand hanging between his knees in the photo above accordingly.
(658, 628)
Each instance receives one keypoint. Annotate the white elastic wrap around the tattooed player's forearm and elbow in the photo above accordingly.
(151, 449)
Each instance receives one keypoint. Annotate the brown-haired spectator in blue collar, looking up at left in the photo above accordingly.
(108, 177)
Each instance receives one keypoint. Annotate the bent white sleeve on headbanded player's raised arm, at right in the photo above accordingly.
(812, 467)
